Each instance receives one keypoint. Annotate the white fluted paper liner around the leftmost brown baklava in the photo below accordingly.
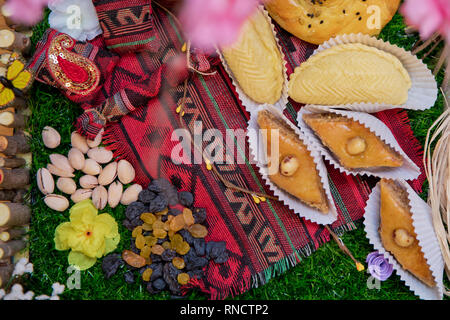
(257, 153)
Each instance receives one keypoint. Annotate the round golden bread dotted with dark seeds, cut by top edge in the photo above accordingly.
(316, 21)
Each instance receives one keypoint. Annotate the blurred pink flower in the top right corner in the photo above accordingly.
(428, 16)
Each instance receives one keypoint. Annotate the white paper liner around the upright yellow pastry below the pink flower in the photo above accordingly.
(247, 102)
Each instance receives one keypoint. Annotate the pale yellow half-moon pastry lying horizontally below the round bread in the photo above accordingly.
(350, 73)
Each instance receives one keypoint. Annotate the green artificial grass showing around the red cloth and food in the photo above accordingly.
(326, 274)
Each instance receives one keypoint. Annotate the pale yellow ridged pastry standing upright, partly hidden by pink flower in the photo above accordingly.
(256, 62)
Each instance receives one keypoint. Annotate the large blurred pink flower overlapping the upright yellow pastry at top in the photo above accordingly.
(215, 22)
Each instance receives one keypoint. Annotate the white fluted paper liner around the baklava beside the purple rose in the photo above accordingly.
(423, 225)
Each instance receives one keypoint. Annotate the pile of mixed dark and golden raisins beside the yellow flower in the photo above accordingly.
(168, 245)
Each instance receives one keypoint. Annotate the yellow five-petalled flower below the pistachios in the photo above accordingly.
(88, 235)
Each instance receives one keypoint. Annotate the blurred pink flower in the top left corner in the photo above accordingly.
(27, 12)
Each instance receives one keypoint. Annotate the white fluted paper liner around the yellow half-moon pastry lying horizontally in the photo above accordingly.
(423, 92)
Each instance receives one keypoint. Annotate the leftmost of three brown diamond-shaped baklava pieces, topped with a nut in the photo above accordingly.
(297, 172)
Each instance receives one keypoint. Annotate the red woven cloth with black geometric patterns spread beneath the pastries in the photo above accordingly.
(263, 239)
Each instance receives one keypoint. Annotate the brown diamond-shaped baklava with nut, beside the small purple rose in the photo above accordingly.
(397, 231)
